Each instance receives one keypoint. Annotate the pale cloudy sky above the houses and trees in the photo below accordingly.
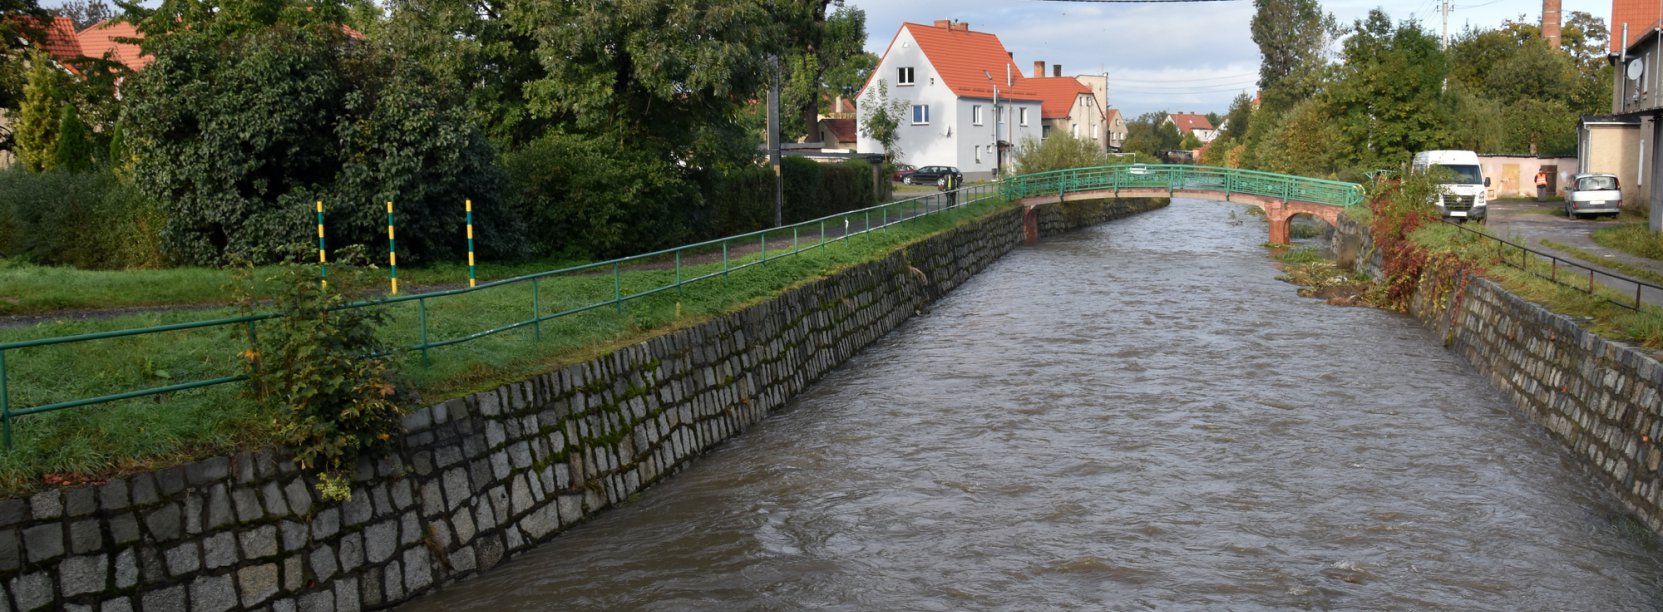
(1167, 56)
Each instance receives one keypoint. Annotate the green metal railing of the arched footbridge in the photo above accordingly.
(1185, 179)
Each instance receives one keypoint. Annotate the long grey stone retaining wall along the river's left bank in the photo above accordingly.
(473, 480)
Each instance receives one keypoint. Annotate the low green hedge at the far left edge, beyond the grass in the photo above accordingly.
(84, 220)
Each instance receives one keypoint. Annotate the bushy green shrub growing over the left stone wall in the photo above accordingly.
(322, 370)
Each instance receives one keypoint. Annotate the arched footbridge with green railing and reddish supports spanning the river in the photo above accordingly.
(1281, 197)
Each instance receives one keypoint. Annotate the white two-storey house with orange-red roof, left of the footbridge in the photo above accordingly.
(967, 101)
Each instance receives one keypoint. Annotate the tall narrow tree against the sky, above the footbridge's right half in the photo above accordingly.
(1293, 39)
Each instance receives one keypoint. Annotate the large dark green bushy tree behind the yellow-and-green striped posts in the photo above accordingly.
(249, 116)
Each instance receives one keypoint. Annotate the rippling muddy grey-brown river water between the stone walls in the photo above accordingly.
(1132, 417)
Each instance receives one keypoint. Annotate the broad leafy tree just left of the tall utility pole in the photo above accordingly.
(666, 77)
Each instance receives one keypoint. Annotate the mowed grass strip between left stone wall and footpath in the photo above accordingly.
(179, 427)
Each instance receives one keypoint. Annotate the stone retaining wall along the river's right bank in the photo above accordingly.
(1601, 400)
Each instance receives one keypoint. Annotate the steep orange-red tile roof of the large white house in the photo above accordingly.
(972, 64)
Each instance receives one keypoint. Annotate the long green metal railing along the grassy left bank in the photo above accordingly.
(736, 254)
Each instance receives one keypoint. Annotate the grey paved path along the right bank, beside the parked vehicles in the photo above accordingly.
(1529, 224)
